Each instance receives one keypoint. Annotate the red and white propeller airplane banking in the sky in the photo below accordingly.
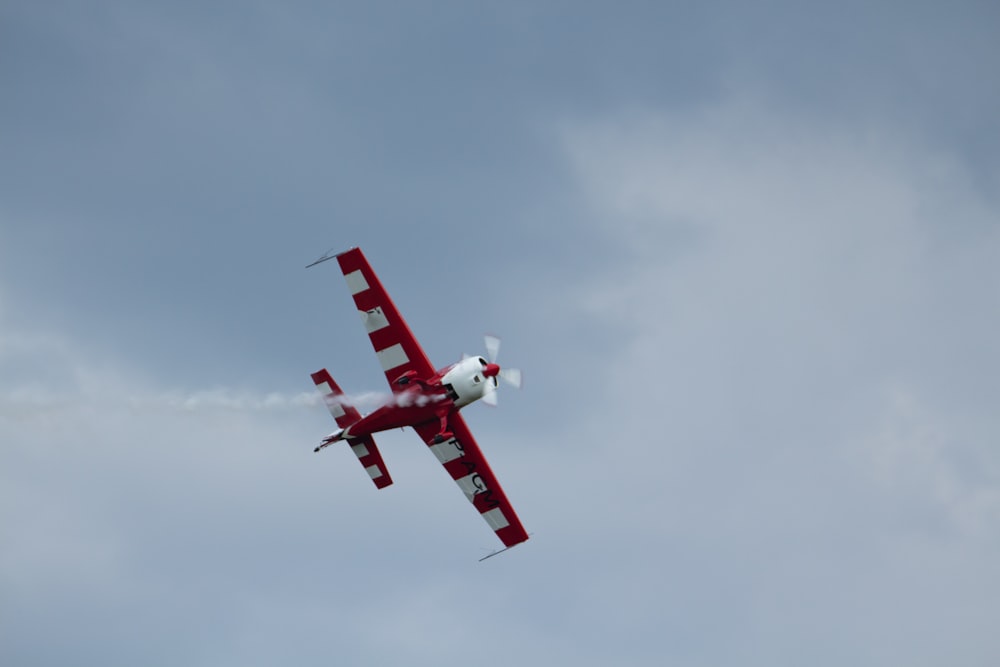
(429, 400)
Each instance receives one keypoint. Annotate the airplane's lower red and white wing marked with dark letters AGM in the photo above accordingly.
(465, 462)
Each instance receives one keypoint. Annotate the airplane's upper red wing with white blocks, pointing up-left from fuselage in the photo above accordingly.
(395, 345)
